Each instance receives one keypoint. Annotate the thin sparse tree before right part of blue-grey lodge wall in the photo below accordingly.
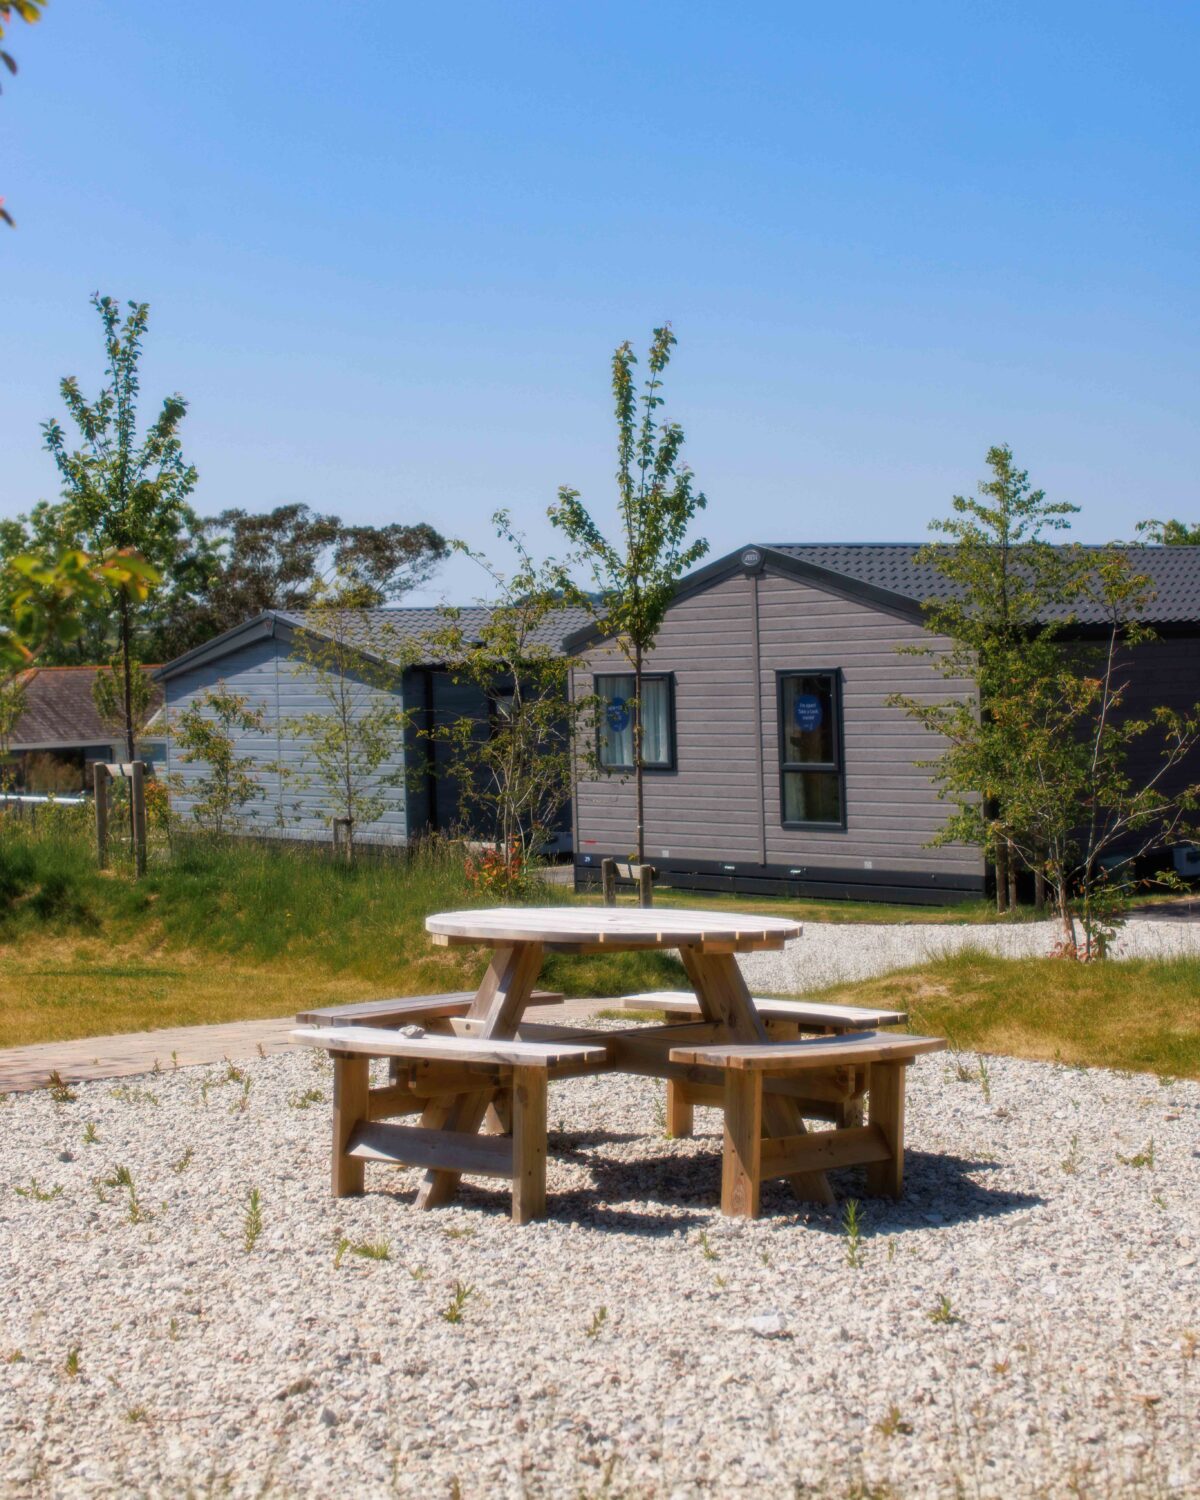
(359, 733)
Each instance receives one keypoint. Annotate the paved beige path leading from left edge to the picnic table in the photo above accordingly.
(25, 1069)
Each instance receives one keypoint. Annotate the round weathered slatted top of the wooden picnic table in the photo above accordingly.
(613, 928)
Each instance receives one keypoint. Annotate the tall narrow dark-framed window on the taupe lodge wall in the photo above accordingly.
(812, 775)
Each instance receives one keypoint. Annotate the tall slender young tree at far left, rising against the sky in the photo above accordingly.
(124, 493)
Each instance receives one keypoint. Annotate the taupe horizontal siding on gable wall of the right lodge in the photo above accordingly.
(709, 808)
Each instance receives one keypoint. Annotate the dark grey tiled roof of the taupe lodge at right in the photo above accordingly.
(1175, 574)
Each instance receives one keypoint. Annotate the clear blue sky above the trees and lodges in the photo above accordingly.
(389, 250)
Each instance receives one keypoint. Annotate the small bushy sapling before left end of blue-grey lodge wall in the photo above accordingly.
(205, 736)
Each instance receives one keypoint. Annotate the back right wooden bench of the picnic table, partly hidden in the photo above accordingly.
(785, 1021)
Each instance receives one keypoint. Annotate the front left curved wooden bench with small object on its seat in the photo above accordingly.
(440, 1069)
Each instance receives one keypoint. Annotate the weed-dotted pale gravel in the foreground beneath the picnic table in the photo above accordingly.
(635, 1345)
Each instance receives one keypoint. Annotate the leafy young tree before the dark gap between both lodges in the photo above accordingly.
(515, 773)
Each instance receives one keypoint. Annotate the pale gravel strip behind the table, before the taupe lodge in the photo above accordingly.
(841, 953)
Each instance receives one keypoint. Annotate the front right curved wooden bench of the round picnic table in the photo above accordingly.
(749, 1157)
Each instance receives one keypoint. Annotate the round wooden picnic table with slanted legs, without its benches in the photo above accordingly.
(707, 944)
